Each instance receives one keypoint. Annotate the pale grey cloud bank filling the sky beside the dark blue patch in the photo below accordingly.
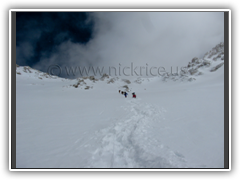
(155, 38)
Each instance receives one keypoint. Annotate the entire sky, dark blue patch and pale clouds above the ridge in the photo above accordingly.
(118, 39)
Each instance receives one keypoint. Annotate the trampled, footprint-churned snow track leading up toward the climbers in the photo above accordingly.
(129, 143)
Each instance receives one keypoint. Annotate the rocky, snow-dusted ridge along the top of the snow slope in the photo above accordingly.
(212, 61)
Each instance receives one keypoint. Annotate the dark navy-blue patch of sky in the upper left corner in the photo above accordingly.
(40, 33)
